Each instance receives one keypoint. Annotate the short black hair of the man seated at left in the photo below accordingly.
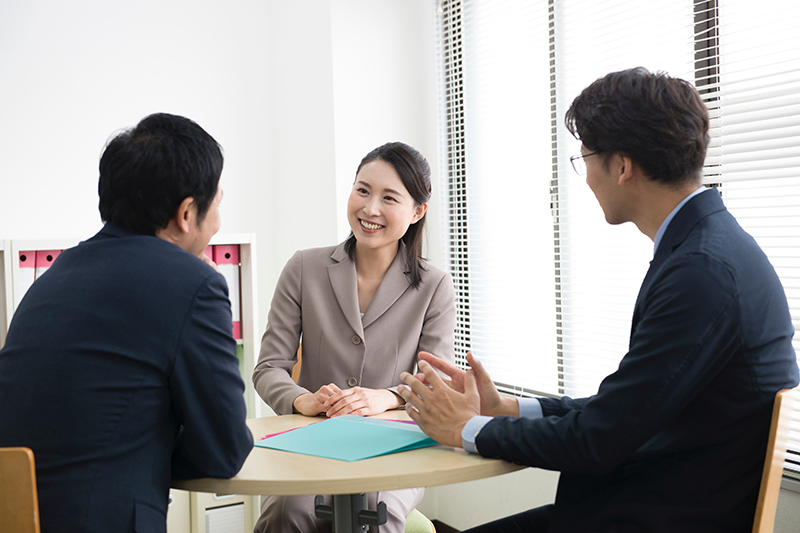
(147, 171)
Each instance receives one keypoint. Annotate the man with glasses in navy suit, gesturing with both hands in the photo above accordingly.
(675, 439)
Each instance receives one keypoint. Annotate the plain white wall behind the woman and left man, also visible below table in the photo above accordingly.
(296, 93)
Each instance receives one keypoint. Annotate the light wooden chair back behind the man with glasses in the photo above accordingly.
(773, 465)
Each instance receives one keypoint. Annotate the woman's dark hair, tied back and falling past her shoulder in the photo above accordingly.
(415, 173)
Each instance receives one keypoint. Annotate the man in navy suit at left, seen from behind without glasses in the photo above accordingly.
(119, 369)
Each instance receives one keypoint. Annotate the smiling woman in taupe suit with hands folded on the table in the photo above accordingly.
(364, 309)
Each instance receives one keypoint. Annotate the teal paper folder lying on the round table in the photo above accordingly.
(350, 438)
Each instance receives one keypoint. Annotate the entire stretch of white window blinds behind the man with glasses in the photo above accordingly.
(545, 287)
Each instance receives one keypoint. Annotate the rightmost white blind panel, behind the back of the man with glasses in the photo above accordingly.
(755, 148)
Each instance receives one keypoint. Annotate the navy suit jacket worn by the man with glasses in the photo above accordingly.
(675, 439)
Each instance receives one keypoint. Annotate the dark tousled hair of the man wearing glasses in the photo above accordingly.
(659, 121)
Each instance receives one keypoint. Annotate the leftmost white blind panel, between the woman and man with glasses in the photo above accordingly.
(505, 202)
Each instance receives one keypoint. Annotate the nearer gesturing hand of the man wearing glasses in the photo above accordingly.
(439, 409)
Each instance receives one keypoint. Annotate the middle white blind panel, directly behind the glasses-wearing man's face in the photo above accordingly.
(602, 266)
